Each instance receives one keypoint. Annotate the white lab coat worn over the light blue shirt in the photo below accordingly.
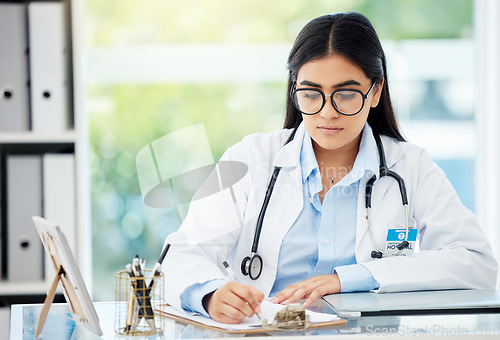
(454, 252)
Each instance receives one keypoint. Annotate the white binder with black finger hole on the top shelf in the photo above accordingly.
(48, 67)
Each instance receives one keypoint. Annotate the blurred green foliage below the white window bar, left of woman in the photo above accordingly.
(123, 120)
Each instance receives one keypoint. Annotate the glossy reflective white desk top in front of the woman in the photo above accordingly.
(24, 319)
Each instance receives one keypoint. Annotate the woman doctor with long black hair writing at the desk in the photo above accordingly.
(316, 238)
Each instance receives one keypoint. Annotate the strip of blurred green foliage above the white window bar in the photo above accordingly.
(115, 22)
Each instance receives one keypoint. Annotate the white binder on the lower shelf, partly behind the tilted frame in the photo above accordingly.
(59, 197)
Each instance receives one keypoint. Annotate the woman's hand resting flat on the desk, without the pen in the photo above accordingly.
(310, 289)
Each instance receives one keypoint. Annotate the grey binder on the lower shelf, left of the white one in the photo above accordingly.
(24, 199)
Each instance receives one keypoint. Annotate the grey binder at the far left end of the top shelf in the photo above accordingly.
(14, 88)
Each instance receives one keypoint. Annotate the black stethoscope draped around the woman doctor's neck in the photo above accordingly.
(252, 265)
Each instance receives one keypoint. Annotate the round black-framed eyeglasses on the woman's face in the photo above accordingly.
(348, 102)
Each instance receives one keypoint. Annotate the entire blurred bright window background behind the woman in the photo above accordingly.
(156, 66)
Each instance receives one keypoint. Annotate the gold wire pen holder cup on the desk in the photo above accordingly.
(136, 300)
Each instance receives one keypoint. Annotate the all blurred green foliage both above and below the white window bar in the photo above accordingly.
(124, 118)
